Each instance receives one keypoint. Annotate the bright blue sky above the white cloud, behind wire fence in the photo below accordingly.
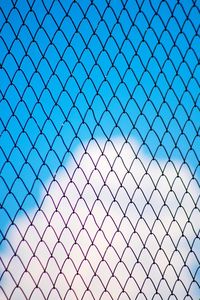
(91, 69)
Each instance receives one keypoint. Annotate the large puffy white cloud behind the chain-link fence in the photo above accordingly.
(117, 225)
